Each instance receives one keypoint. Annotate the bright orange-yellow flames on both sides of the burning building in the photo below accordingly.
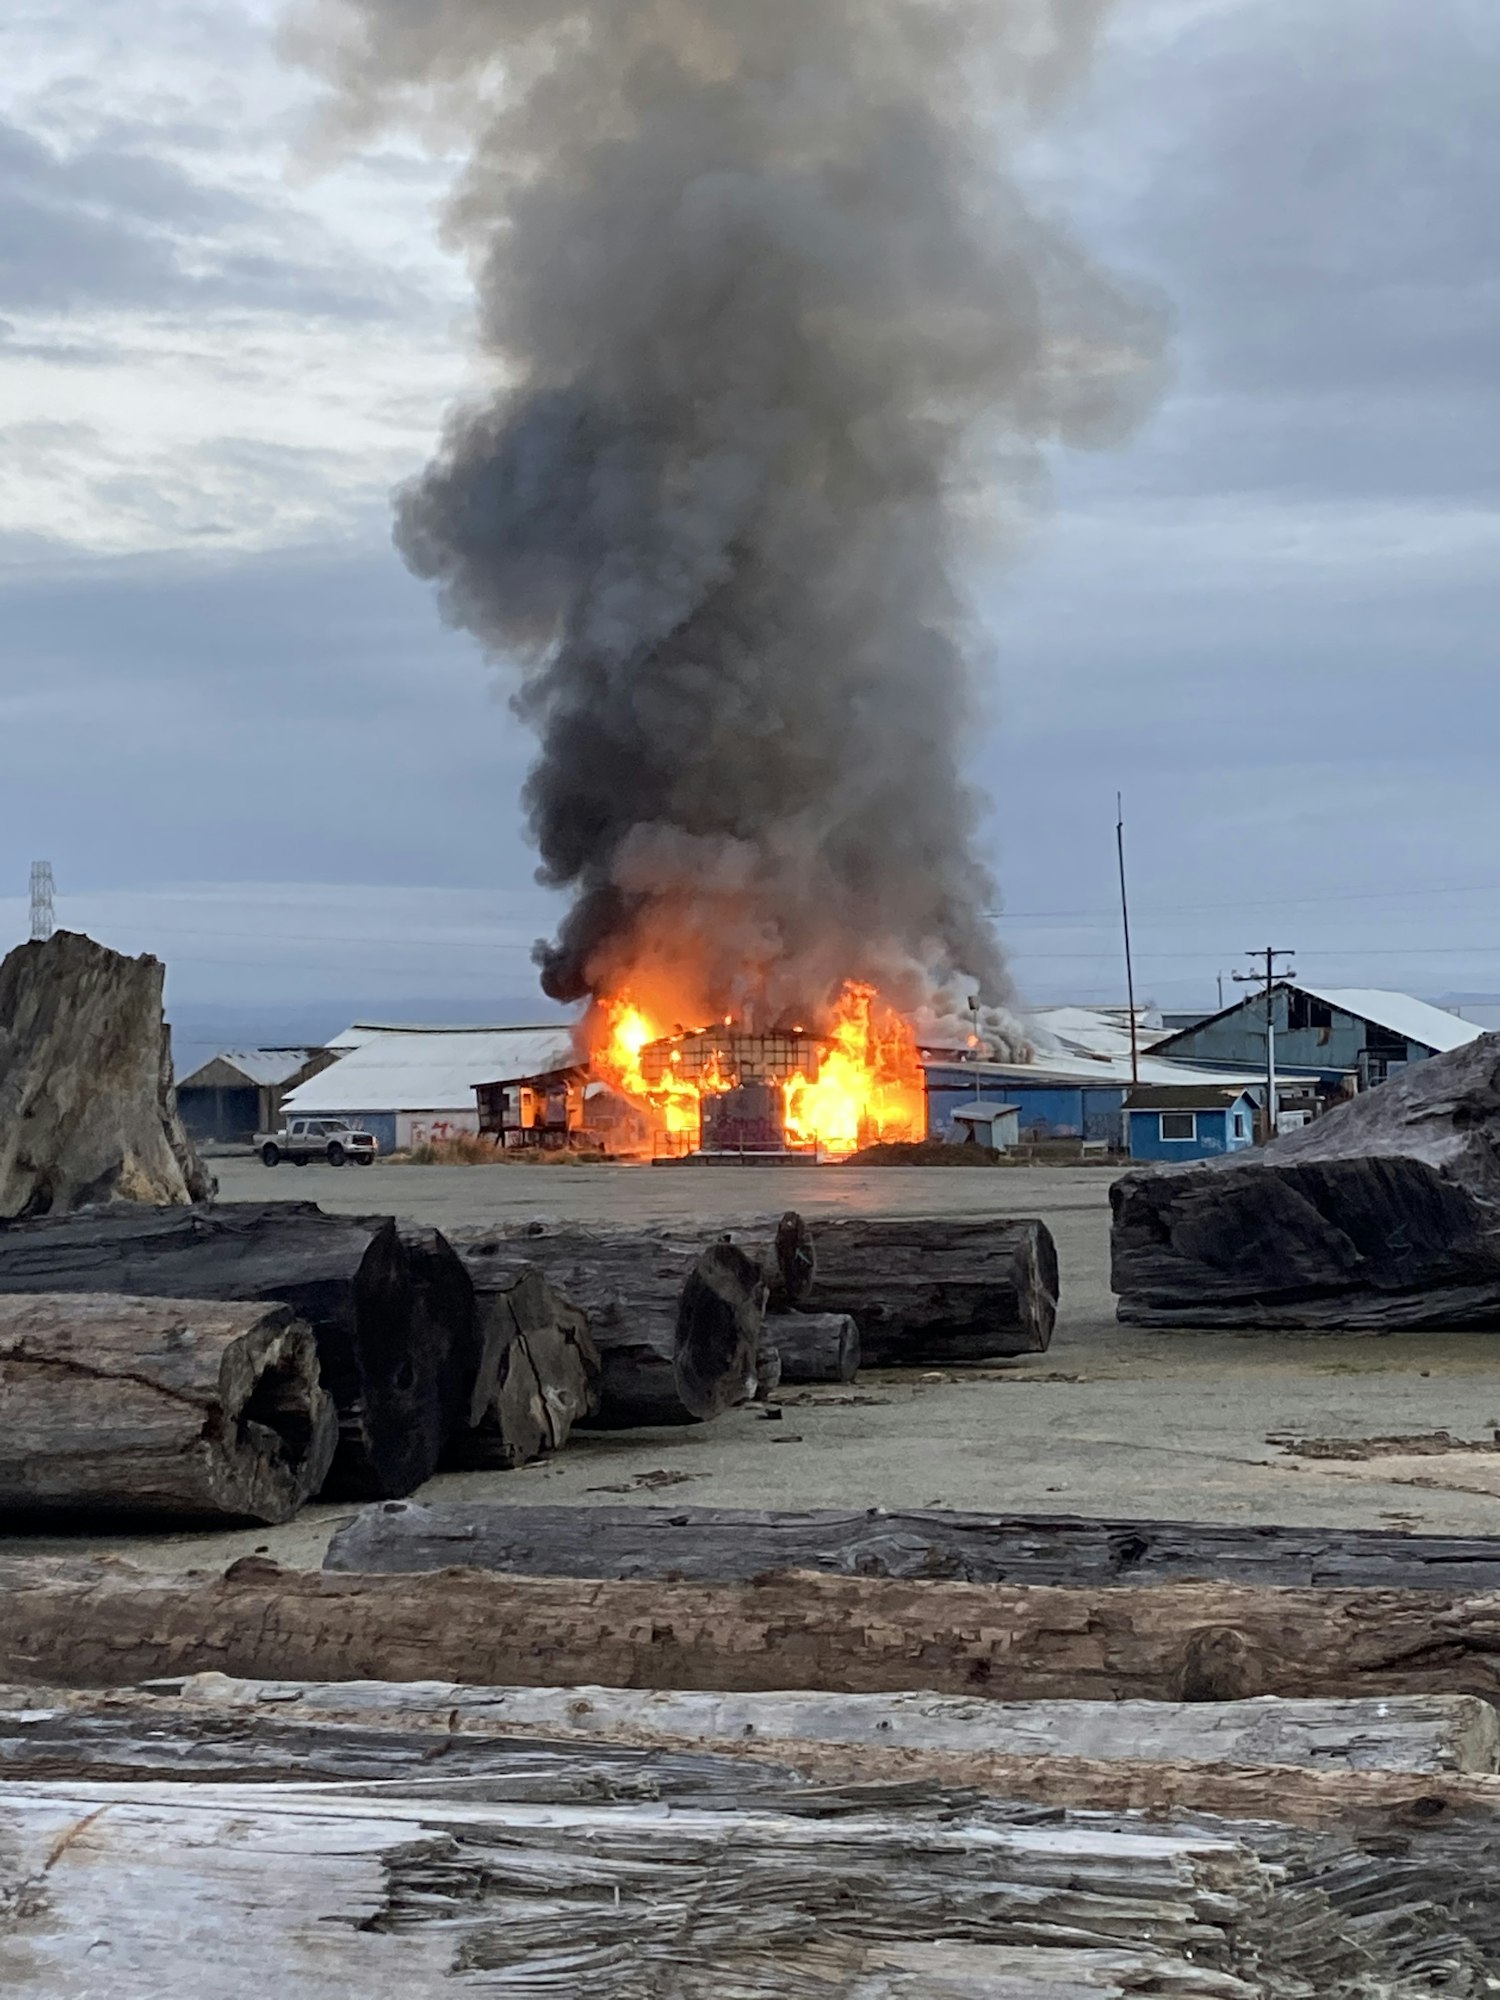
(865, 1087)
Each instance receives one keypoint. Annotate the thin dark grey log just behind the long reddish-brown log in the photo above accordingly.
(735, 1545)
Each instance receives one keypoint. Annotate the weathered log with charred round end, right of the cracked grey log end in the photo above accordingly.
(677, 1337)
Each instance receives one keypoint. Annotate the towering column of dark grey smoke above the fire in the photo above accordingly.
(779, 341)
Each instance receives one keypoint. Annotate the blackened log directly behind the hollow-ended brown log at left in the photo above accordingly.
(393, 1315)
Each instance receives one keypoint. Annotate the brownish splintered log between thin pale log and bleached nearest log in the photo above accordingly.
(1399, 1851)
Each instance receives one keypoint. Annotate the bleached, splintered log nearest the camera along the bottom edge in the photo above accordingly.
(321, 1891)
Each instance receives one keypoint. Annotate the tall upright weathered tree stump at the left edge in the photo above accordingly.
(87, 1105)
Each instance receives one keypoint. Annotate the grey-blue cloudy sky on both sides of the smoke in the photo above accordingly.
(243, 737)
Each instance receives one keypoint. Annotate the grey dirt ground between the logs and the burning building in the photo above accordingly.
(1109, 1423)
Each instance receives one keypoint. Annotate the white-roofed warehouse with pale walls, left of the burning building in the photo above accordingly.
(415, 1087)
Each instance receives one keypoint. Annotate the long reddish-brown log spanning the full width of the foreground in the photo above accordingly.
(107, 1625)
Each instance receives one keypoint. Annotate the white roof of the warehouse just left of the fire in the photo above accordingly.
(429, 1069)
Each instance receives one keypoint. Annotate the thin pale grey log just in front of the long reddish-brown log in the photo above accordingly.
(1415, 1733)
